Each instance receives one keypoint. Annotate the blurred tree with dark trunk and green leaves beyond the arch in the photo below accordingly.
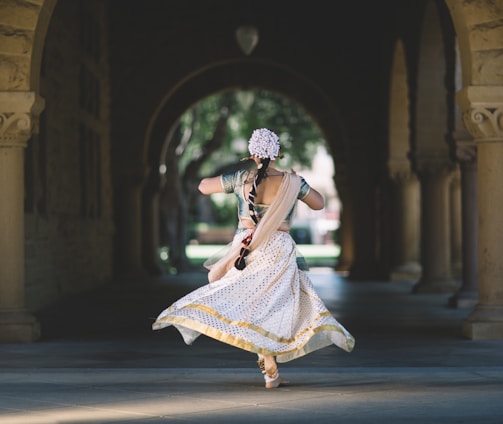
(211, 139)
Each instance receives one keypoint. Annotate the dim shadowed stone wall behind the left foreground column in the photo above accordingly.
(68, 200)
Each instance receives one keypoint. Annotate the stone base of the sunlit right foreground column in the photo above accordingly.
(484, 323)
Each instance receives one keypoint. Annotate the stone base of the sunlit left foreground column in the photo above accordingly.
(18, 326)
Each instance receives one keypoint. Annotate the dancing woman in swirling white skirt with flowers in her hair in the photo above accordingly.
(257, 298)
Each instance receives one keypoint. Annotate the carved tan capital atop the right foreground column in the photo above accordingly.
(482, 109)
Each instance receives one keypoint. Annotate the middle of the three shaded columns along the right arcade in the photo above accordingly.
(435, 229)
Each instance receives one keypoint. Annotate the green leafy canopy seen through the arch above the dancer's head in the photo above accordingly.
(246, 111)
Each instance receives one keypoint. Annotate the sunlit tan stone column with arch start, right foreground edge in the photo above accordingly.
(478, 27)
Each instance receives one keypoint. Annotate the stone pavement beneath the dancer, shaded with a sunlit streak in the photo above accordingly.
(99, 362)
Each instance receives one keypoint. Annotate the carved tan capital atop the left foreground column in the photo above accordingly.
(19, 113)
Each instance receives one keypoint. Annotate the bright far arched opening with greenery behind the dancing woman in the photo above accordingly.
(210, 138)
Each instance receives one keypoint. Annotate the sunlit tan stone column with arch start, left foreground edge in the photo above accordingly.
(25, 27)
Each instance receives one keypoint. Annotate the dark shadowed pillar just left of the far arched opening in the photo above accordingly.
(128, 211)
